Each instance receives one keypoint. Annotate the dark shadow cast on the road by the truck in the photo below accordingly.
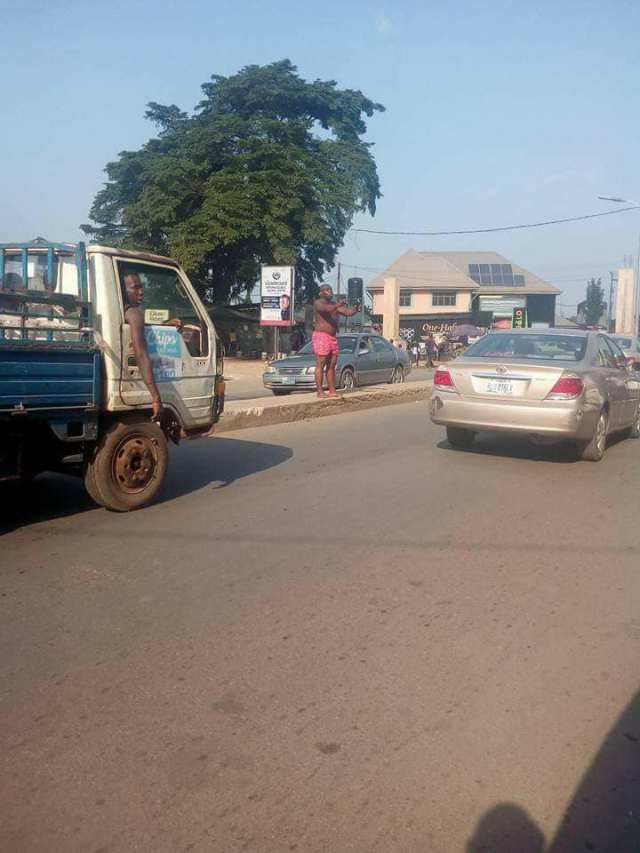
(192, 466)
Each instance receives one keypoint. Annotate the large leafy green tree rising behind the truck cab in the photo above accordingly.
(269, 168)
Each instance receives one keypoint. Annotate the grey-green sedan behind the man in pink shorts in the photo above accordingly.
(365, 358)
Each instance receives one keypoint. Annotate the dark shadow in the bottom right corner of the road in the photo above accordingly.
(604, 812)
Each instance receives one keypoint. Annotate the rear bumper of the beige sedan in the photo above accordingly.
(561, 418)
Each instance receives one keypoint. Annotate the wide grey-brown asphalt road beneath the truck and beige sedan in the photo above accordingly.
(339, 635)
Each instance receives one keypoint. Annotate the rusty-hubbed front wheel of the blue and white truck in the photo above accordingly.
(129, 466)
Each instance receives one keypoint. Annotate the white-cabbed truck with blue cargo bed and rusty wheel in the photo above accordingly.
(71, 397)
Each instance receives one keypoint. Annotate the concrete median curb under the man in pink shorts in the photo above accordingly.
(256, 415)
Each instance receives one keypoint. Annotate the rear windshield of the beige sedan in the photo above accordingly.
(527, 346)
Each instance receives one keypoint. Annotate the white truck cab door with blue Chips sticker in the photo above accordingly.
(178, 339)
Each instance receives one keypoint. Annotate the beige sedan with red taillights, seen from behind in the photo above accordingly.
(551, 385)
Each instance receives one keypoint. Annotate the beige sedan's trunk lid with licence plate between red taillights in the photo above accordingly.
(506, 378)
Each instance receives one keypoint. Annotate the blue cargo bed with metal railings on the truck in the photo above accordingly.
(48, 356)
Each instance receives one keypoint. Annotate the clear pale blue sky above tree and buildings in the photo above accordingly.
(497, 112)
